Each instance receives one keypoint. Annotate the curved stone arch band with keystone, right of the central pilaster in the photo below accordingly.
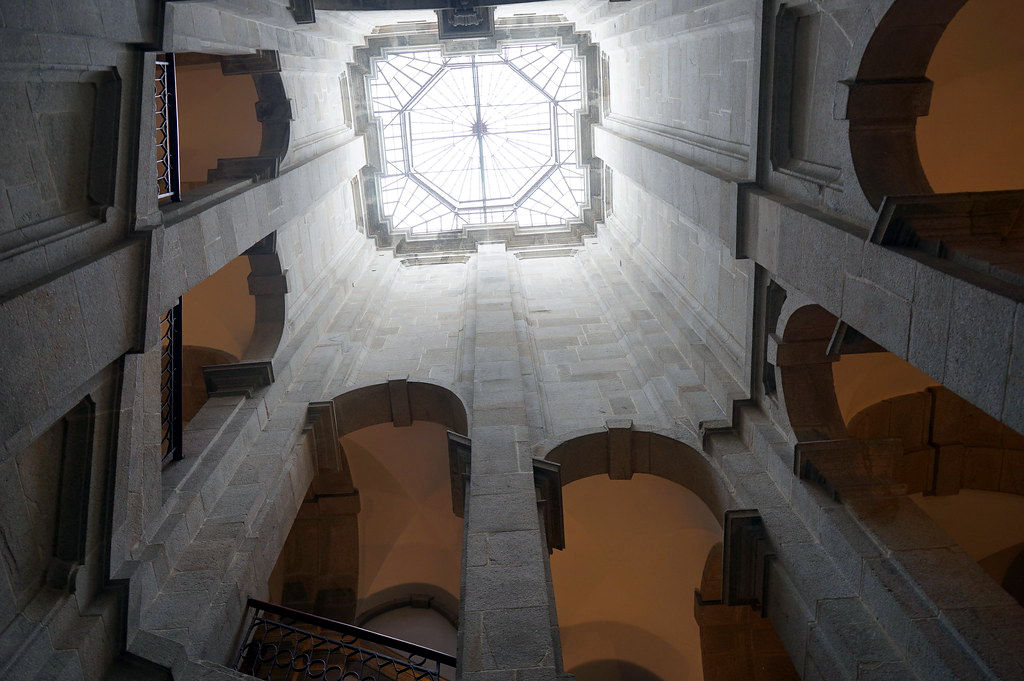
(646, 452)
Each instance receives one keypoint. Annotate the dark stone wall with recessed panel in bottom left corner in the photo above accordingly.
(57, 610)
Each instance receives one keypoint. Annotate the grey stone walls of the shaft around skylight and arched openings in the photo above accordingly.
(656, 321)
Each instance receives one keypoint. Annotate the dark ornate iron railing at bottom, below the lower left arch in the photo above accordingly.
(285, 645)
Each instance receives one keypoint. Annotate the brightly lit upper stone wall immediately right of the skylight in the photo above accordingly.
(684, 75)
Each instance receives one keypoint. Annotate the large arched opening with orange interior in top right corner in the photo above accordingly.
(934, 132)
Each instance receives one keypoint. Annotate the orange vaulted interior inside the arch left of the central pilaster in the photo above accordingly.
(379, 535)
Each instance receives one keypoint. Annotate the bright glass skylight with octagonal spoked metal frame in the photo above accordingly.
(474, 140)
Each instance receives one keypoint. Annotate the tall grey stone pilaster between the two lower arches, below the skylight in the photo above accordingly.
(506, 628)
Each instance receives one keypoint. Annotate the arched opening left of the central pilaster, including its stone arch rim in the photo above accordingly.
(377, 542)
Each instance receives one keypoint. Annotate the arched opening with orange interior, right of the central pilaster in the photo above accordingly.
(642, 517)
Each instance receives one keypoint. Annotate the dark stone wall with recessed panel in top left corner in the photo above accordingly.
(68, 143)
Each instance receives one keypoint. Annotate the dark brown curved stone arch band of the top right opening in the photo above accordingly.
(890, 93)
